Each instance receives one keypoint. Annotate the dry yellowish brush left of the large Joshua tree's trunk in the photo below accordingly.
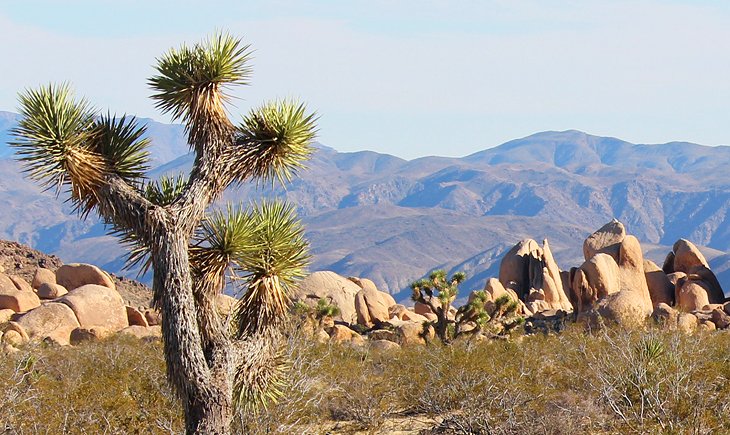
(115, 386)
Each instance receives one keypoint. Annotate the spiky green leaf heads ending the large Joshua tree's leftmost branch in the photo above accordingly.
(61, 144)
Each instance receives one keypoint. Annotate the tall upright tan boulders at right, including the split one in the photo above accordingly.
(617, 284)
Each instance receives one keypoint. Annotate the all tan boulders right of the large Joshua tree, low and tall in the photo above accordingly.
(615, 284)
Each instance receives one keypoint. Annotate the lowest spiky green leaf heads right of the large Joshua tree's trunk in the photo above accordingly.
(265, 246)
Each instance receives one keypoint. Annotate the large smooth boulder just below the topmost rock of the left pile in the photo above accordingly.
(97, 306)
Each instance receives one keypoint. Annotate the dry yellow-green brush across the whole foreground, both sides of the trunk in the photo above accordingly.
(609, 382)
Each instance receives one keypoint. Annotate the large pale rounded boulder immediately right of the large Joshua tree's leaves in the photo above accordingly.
(336, 289)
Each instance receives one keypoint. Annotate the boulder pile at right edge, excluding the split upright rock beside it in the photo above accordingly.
(617, 284)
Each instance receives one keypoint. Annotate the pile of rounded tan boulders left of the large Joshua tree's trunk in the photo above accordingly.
(74, 303)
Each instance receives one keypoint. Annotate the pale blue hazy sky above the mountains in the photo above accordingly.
(410, 78)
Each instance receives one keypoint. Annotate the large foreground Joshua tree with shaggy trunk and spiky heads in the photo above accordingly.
(213, 364)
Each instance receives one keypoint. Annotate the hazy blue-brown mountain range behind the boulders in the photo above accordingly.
(393, 220)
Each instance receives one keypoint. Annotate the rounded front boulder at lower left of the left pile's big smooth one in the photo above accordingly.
(53, 321)
